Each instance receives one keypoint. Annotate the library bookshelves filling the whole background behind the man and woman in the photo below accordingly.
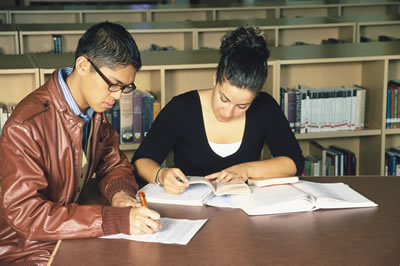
(334, 67)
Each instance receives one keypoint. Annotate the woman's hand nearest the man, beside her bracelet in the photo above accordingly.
(173, 180)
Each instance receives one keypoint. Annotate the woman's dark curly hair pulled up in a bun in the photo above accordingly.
(243, 61)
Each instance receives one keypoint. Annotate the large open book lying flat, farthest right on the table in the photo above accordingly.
(297, 197)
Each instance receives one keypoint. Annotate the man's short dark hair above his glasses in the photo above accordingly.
(109, 44)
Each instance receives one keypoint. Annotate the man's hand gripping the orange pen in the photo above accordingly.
(142, 220)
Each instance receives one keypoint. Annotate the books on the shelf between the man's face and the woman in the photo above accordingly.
(133, 115)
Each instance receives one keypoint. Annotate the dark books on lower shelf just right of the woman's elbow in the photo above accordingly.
(329, 161)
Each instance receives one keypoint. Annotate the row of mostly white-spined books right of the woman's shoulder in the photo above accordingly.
(324, 109)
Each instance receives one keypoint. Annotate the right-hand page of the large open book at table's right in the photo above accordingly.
(334, 195)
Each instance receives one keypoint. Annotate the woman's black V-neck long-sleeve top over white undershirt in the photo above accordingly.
(180, 128)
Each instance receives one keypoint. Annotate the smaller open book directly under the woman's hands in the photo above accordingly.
(196, 194)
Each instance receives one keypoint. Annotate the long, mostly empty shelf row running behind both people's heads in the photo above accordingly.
(35, 38)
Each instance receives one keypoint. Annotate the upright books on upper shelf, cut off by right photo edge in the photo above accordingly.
(393, 104)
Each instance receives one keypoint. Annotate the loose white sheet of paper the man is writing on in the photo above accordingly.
(173, 231)
